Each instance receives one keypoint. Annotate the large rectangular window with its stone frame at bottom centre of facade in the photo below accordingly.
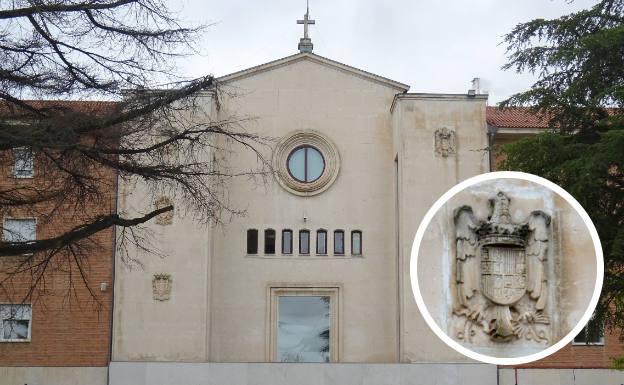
(304, 324)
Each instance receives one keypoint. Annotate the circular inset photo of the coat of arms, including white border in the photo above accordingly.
(506, 268)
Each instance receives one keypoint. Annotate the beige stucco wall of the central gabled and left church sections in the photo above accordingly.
(220, 302)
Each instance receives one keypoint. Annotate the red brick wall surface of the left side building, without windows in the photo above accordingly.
(70, 327)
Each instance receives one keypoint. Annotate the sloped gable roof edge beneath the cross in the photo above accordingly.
(317, 59)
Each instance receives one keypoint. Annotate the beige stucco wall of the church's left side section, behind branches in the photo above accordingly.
(145, 329)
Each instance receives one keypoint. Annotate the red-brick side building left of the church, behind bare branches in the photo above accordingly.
(52, 329)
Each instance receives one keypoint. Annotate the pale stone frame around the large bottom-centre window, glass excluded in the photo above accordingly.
(335, 327)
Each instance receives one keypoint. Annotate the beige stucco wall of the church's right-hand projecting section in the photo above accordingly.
(422, 178)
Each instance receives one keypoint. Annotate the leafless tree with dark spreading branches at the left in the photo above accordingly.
(156, 133)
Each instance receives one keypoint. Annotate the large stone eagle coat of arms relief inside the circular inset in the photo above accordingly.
(501, 276)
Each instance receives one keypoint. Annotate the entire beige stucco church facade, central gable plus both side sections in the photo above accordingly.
(220, 304)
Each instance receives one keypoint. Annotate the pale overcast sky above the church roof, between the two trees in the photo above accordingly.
(432, 45)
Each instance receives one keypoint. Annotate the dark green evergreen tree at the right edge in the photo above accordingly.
(579, 60)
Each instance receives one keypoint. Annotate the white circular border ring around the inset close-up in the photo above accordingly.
(414, 263)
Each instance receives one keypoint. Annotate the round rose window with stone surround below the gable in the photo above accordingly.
(306, 162)
